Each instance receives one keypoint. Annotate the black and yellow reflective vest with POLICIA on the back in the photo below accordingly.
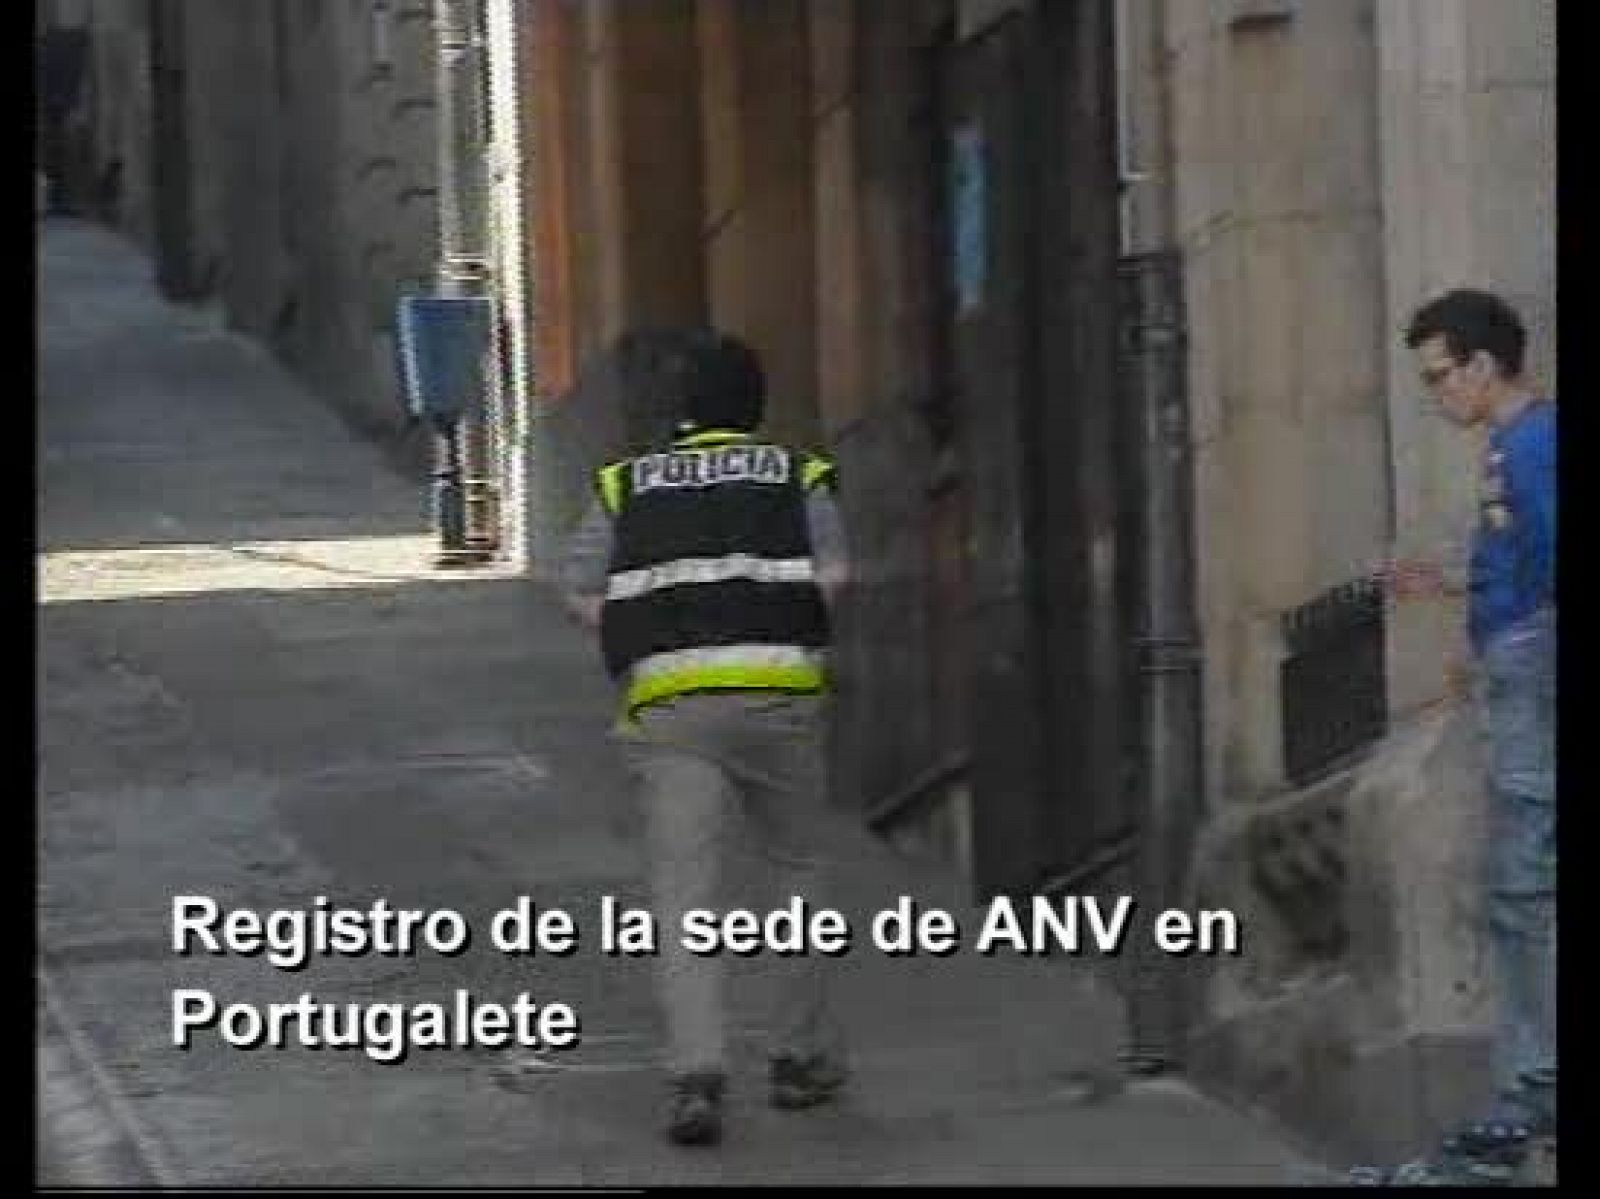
(713, 582)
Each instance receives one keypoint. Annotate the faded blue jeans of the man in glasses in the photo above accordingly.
(1519, 710)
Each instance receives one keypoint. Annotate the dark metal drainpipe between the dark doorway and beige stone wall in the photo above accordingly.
(1169, 640)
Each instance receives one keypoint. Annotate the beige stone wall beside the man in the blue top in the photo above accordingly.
(1335, 166)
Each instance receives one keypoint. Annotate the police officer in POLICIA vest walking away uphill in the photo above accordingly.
(710, 567)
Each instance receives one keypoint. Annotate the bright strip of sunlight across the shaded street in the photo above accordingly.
(151, 572)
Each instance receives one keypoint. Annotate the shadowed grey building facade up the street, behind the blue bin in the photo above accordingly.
(281, 164)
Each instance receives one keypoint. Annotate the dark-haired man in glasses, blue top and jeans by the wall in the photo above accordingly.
(1470, 350)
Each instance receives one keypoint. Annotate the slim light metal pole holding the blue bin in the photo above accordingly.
(463, 252)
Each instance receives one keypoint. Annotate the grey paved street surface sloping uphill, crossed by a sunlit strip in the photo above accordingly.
(257, 688)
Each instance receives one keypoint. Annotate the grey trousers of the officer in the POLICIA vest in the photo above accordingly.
(703, 761)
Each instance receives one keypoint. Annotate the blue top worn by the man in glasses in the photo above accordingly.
(1513, 571)
